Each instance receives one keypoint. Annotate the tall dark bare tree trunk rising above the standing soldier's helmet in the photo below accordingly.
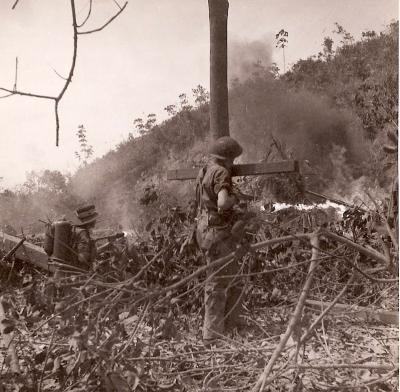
(219, 114)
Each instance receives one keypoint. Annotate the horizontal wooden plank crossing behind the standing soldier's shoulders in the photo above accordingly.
(247, 169)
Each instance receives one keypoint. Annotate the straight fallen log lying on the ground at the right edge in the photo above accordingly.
(381, 316)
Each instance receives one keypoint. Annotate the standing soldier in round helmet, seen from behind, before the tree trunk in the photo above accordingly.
(215, 200)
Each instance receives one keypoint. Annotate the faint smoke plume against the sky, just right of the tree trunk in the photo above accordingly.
(246, 58)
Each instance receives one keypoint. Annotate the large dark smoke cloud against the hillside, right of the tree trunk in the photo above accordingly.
(306, 125)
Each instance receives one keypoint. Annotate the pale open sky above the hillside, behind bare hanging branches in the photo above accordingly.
(139, 64)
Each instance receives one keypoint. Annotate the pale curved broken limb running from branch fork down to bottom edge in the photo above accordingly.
(263, 379)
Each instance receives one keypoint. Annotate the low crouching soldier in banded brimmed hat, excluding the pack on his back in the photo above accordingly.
(83, 245)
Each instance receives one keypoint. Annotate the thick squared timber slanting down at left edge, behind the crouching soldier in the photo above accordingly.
(26, 252)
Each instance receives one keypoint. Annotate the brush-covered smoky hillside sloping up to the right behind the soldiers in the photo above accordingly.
(333, 110)
